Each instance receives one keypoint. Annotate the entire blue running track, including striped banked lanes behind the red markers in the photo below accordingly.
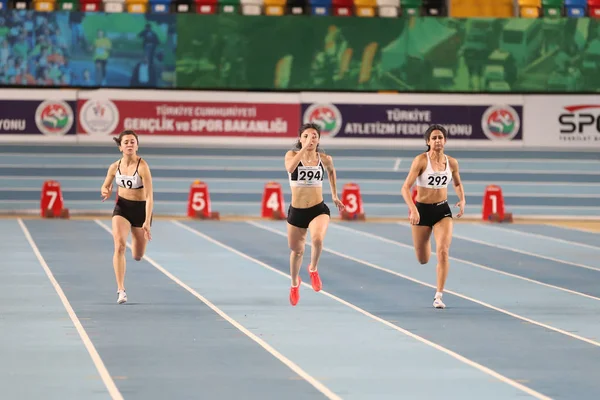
(208, 313)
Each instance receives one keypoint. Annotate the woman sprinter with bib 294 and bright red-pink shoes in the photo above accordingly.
(306, 167)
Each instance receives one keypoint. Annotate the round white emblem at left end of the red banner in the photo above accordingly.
(99, 117)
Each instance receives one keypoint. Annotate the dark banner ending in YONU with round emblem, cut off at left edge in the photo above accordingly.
(48, 113)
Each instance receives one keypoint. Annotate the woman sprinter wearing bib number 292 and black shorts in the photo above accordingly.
(433, 171)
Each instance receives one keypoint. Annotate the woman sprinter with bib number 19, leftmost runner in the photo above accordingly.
(133, 210)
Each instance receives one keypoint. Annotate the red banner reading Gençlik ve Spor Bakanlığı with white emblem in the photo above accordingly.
(107, 112)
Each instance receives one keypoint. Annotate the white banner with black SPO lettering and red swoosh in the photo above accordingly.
(563, 121)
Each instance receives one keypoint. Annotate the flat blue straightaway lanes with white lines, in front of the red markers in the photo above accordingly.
(208, 315)
